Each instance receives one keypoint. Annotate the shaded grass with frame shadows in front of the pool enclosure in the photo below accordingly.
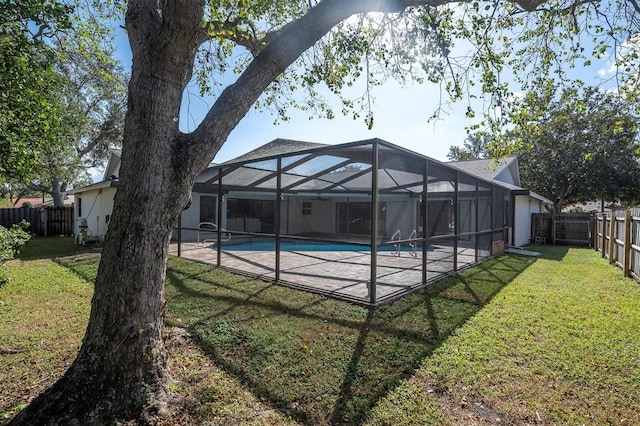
(322, 361)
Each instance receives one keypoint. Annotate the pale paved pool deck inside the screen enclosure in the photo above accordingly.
(341, 274)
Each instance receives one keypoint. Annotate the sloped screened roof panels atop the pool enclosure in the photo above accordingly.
(308, 167)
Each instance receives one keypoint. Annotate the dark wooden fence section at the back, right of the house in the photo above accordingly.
(562, 228)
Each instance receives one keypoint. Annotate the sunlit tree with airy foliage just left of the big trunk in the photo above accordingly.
(88, 91)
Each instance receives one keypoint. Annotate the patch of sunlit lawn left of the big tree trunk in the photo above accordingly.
(43, 314)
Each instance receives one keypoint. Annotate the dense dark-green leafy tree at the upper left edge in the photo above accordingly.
(28, 112)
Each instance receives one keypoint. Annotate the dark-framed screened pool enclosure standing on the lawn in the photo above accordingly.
(366, 222)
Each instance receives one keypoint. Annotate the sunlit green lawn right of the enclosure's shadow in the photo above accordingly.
(558, 345)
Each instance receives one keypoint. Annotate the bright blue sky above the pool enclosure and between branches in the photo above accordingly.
(401, 117)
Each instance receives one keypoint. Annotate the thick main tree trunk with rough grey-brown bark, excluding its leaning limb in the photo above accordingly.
(120, 372)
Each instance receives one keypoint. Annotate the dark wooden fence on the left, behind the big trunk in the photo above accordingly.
(45, 222)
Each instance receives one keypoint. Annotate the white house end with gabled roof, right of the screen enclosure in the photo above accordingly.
(506, 171)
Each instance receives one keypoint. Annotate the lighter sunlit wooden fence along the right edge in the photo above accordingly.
(618, 239)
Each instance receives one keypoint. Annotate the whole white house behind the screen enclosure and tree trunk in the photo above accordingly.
(328, 187)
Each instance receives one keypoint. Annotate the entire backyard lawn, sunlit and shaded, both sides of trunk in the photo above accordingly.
(527, 340)
